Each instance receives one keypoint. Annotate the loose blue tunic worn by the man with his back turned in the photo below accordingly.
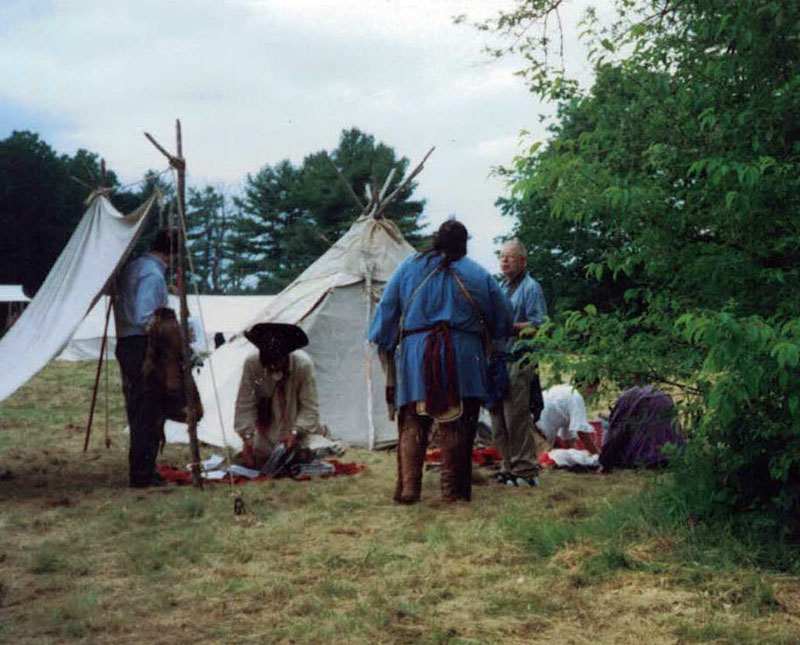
(439, 300)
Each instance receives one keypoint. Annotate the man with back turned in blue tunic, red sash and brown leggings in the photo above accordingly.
(436, 319)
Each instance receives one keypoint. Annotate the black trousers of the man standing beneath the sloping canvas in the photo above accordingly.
(144, 416)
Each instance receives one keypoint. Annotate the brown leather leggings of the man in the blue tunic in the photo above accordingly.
(456, 444)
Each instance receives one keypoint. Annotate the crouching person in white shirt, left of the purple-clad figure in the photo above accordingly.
(564, 416)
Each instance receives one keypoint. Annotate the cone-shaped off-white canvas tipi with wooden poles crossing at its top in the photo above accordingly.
(333, 300)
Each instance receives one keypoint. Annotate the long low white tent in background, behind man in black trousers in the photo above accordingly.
(225, 314)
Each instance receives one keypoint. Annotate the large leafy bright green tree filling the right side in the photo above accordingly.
(684, 154)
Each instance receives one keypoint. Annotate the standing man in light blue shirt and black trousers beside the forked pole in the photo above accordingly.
(141, 289)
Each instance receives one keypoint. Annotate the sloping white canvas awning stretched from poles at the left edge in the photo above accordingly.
(99, 244)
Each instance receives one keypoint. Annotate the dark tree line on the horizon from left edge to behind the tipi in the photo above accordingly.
(254, 240)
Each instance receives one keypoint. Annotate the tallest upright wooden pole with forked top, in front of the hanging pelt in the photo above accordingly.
(179, 163)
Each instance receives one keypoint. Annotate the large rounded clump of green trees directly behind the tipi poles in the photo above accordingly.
(291, 215)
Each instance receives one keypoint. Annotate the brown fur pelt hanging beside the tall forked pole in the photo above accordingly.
(163, 367)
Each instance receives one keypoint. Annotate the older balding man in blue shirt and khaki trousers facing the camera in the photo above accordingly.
(512, 426)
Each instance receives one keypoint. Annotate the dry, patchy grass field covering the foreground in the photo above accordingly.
(85, 559)
